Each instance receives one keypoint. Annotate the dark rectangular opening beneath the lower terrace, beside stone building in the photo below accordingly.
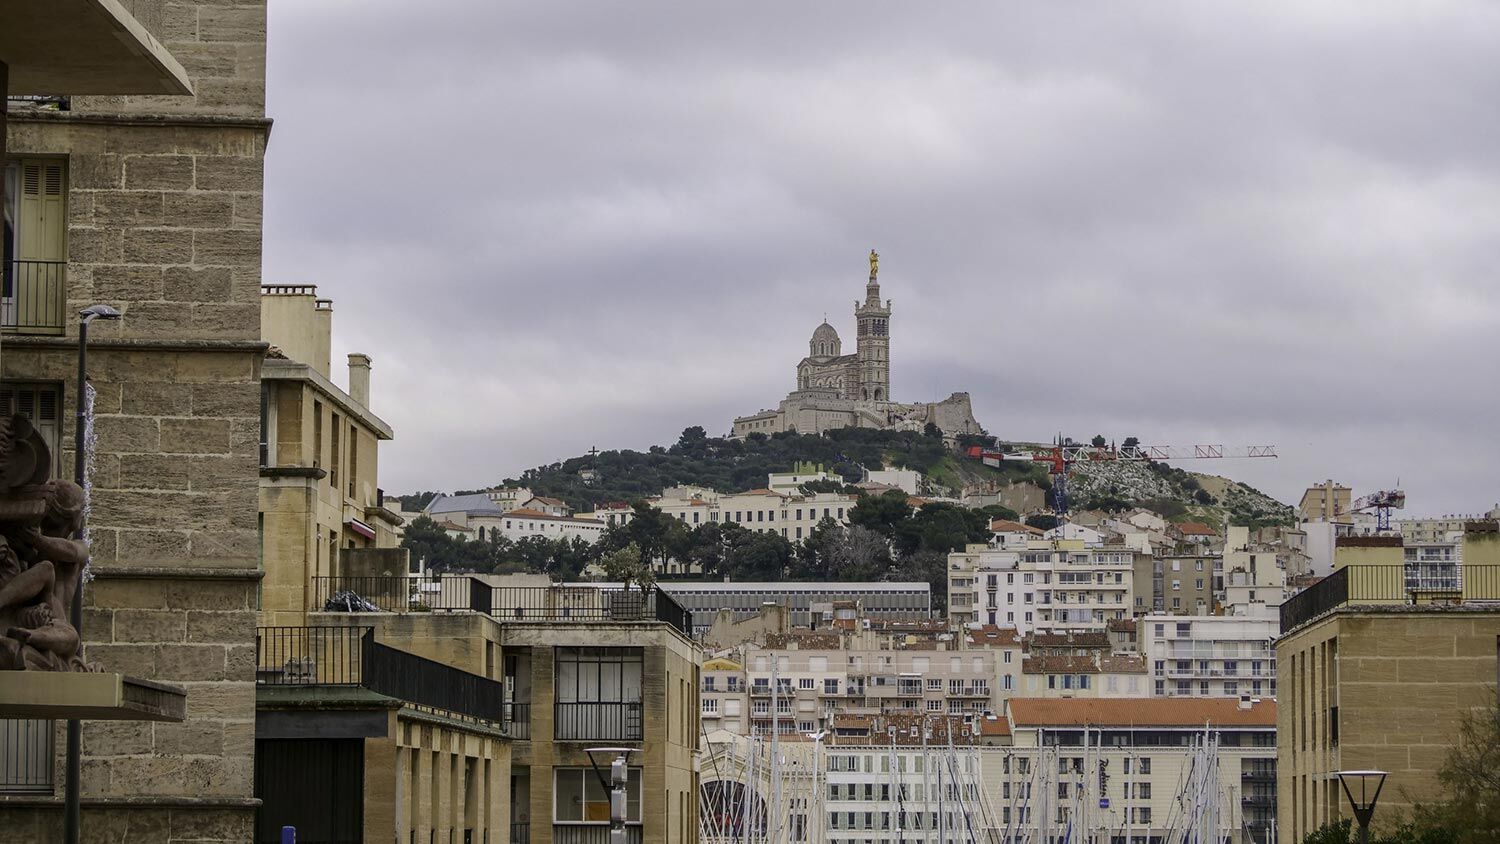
(314, 785)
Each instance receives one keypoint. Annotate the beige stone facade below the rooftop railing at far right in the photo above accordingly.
(1382, 689)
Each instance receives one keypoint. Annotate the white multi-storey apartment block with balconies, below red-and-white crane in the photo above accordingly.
(1051, 585)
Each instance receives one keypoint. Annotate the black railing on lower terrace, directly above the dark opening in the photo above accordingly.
(350, 656)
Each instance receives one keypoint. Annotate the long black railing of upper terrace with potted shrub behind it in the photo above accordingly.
(458, 593)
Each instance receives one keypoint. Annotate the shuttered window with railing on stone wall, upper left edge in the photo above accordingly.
(35, 247)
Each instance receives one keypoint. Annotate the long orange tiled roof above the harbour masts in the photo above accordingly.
(1141, 713)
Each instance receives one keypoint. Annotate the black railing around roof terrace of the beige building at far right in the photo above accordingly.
(1391, 585)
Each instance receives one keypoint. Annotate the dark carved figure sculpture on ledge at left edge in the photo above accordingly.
(41, 563)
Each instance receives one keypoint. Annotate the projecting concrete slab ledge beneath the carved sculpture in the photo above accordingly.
(89, 698)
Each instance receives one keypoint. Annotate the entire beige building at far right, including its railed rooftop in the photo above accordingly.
(1379, 663)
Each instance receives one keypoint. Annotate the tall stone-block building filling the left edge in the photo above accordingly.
(152, 205)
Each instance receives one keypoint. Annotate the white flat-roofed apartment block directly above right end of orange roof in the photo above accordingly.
(1211, 656)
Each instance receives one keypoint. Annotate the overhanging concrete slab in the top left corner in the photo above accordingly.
(85, 47)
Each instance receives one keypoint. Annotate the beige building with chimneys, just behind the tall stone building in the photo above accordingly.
(323, 513)
